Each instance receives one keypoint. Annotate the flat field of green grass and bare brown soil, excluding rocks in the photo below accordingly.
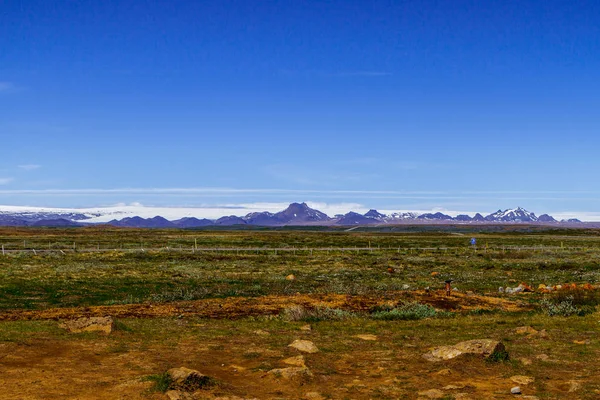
(228, 304)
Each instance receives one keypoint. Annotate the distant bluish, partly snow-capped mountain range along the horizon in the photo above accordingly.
(296, 214)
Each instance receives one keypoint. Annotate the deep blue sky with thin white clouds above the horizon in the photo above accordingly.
(458, 105)
